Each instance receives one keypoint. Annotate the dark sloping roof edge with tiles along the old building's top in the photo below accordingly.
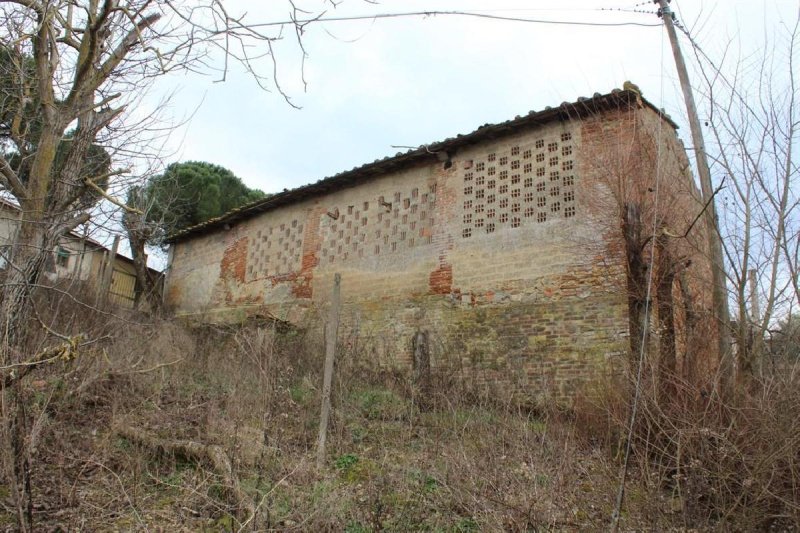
(566, 111)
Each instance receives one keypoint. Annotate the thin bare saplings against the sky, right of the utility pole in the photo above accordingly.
(754, 119)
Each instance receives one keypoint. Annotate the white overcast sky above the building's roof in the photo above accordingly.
(411, 81)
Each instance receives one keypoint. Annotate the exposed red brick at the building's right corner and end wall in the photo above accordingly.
(656, 177)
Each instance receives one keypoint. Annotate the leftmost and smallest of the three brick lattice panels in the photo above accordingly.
(275, 251)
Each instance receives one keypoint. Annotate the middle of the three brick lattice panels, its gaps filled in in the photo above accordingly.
(387, 224)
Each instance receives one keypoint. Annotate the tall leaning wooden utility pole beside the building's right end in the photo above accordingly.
(718, 278)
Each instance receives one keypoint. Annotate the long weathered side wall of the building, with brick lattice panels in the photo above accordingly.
(494, 254)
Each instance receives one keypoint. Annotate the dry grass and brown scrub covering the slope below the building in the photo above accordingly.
(165, 427)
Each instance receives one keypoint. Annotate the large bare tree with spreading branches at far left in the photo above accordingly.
(72, 73)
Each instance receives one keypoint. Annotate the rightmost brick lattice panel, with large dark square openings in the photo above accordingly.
(527, 184)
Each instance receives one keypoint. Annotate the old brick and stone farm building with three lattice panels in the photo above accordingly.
(504, 245)
